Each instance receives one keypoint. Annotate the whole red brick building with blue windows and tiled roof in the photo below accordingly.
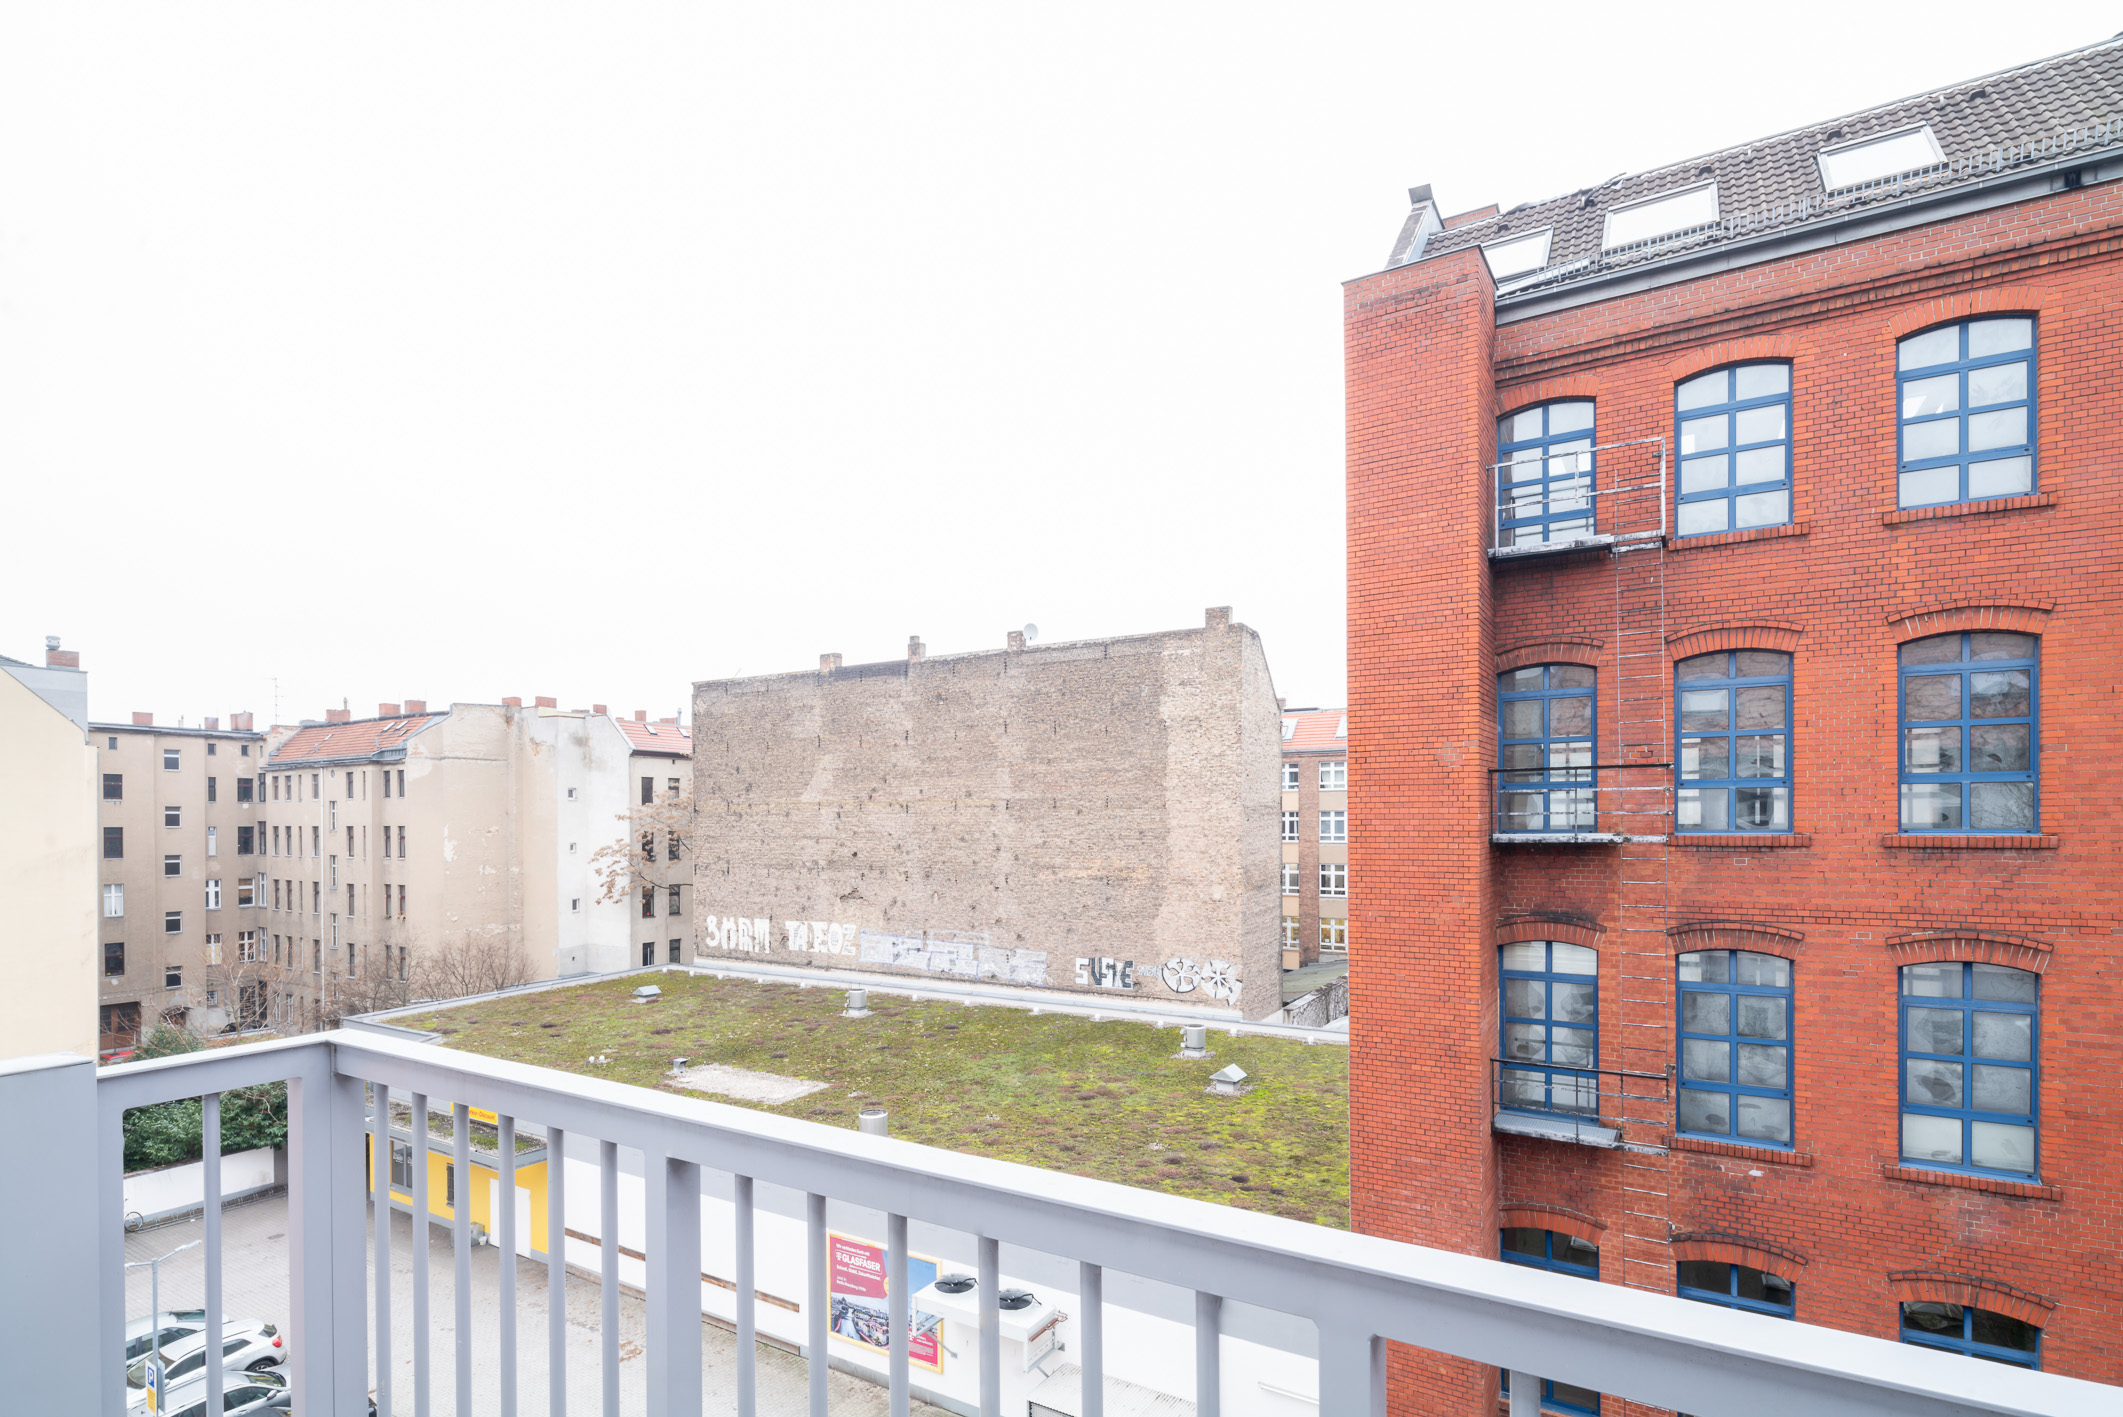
(1733, 558)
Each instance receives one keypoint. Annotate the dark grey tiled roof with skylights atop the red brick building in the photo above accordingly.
(1995, 124)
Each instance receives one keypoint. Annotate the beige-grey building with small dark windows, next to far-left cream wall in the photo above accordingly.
(179, 874)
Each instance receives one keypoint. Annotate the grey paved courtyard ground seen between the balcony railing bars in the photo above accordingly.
(254, 1278)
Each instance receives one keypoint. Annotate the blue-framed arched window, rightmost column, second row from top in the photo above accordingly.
(1971, 742)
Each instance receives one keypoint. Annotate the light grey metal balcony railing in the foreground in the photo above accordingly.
(1358, 1291)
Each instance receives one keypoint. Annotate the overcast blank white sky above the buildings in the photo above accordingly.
(462, 352)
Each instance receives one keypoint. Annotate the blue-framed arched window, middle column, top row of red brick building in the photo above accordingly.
(1733, 430)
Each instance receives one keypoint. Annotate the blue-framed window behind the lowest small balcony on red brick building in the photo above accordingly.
(1551, 1027)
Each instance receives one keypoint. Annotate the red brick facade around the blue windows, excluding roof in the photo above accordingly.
(1432, 624)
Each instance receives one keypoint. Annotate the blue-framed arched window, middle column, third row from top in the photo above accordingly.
(1738, 1046)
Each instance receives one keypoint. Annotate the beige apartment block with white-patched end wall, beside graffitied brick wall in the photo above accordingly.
(424, 853)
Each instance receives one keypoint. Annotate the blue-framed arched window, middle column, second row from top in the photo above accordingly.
(1733, 721)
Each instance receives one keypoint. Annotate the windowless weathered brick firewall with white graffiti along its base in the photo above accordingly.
(1003, 815)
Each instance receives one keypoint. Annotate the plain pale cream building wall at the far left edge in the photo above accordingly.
(48, 859)
